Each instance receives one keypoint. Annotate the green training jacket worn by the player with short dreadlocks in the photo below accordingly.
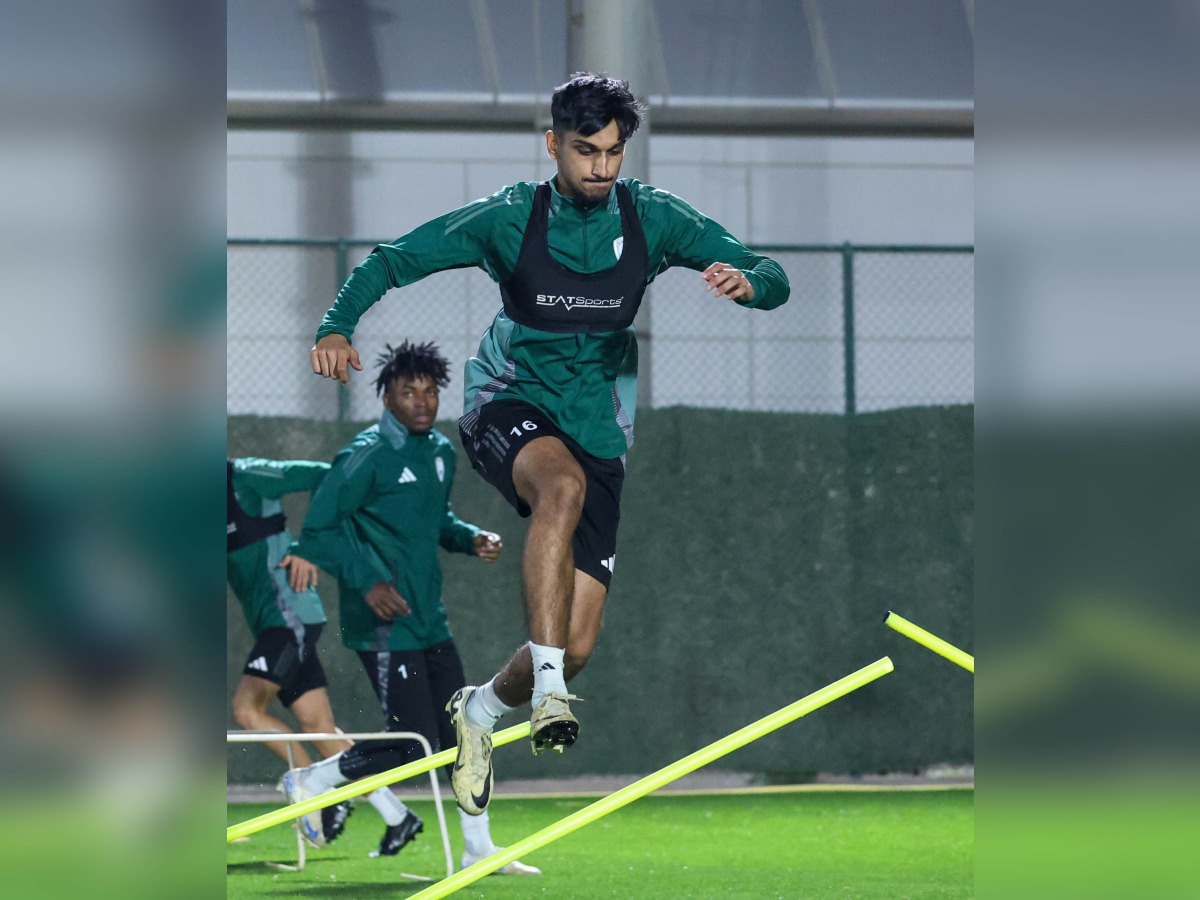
(380, 517)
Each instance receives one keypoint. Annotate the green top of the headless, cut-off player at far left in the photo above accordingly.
(254, 573)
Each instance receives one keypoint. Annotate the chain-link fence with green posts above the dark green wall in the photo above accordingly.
(867, 328)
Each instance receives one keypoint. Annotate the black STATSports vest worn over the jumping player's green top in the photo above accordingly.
(544, 295)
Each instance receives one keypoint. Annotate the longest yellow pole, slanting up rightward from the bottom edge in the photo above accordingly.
(652, 783)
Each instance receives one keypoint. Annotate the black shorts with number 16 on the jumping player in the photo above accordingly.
(500, 433)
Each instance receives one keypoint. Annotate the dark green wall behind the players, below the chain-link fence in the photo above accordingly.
(759, 555)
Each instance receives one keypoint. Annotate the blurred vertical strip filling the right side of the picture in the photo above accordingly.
(1089, 388)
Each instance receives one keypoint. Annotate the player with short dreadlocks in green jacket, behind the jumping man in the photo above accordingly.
(376, 525)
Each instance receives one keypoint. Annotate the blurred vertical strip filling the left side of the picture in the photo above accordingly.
(111, 166)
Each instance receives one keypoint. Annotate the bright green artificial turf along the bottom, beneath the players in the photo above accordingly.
(844, 844)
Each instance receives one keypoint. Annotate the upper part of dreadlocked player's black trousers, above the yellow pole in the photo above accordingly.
(415, 687)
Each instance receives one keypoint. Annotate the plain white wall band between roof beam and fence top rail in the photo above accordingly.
(801, 190)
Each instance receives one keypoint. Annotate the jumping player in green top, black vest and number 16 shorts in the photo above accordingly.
(549, 412)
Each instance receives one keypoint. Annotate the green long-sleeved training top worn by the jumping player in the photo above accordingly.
(586, 383)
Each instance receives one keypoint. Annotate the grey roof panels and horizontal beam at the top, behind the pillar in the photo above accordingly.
(719, 67)
